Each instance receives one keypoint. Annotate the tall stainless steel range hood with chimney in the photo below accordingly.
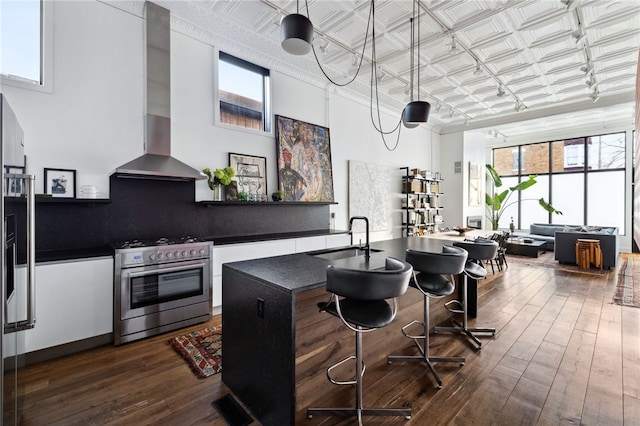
(157, 162)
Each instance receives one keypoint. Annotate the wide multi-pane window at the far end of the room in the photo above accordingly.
(586, 181)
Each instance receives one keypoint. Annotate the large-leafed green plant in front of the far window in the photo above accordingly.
(497, 202)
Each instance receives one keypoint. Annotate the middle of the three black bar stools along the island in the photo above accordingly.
(432, 283)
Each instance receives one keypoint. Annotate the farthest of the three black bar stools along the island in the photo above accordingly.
(479, 252)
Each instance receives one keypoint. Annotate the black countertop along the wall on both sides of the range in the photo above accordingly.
(91, 252)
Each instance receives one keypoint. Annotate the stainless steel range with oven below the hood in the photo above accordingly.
(160, 286)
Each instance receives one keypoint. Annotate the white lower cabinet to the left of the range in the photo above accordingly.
(74, 301)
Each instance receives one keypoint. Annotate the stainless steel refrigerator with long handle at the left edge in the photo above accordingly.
(17, 262)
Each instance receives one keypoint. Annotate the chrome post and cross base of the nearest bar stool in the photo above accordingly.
(359, 410)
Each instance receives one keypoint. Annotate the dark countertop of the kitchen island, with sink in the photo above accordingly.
(303, 271)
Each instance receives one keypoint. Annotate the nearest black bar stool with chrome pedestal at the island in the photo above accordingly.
(363, 308)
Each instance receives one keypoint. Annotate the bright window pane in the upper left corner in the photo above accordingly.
(20, 37)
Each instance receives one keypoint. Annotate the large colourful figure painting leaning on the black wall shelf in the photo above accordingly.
(304, 161)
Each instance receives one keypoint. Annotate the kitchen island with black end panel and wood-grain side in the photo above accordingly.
(277, 345)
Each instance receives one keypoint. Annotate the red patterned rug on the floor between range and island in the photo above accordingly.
(202, 349)
